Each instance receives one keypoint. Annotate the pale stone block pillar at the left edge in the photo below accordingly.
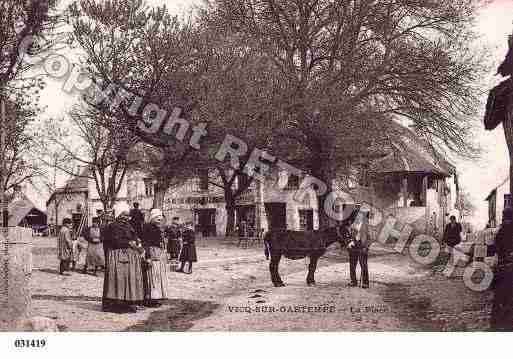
(16, 269)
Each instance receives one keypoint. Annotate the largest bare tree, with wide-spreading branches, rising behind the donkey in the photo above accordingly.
(347, 63)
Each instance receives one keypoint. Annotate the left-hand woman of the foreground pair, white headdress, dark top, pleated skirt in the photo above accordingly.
(123, 284)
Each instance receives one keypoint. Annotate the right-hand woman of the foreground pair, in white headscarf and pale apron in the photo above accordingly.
(155, 268)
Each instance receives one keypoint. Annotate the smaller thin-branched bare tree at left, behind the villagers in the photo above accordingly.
(107, 150)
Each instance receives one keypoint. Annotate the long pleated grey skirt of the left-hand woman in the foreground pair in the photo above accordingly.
(123, 282)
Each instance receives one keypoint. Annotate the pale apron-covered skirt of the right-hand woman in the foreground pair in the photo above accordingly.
(155, 275)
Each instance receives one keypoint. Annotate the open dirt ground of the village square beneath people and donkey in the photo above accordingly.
(230, 290)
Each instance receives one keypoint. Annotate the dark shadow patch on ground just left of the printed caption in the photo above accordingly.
(178, 315)
